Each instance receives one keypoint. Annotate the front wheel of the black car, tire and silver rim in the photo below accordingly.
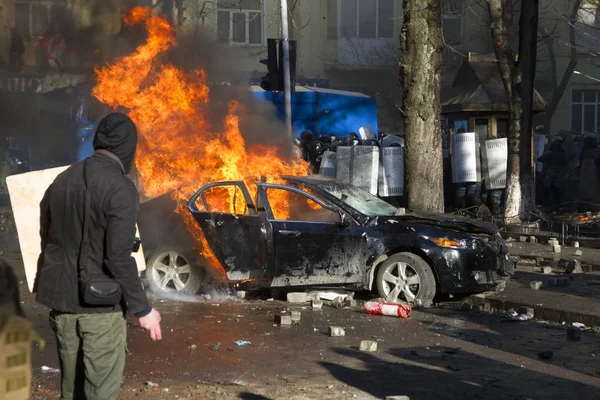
(417, 286)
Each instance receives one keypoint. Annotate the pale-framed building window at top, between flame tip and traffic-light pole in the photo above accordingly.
(240, 21)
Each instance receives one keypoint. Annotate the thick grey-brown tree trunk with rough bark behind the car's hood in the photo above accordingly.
(422, 47)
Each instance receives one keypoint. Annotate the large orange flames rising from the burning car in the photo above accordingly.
(179, 150)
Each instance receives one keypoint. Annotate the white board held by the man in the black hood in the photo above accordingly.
(26, 192)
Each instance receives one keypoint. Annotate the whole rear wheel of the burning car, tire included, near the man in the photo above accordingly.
(172, 270)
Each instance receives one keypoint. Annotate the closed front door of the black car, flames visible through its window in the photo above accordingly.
(311, 241)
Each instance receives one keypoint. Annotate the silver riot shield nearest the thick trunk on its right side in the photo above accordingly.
(466, 166)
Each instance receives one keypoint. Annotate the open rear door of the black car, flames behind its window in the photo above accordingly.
(233, 230)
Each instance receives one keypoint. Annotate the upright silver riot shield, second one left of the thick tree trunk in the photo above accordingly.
(364, 168)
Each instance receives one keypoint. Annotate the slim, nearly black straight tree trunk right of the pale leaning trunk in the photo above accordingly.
(528, 27)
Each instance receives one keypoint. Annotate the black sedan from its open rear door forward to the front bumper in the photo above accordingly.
(317, 231)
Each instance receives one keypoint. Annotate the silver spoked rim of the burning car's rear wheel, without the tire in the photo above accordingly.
(171, 271)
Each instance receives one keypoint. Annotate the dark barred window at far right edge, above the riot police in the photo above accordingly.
(585, 110)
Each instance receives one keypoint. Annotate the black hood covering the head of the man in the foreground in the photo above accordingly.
(117, 133)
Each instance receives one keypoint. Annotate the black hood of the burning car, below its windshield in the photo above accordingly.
(448, 221)
